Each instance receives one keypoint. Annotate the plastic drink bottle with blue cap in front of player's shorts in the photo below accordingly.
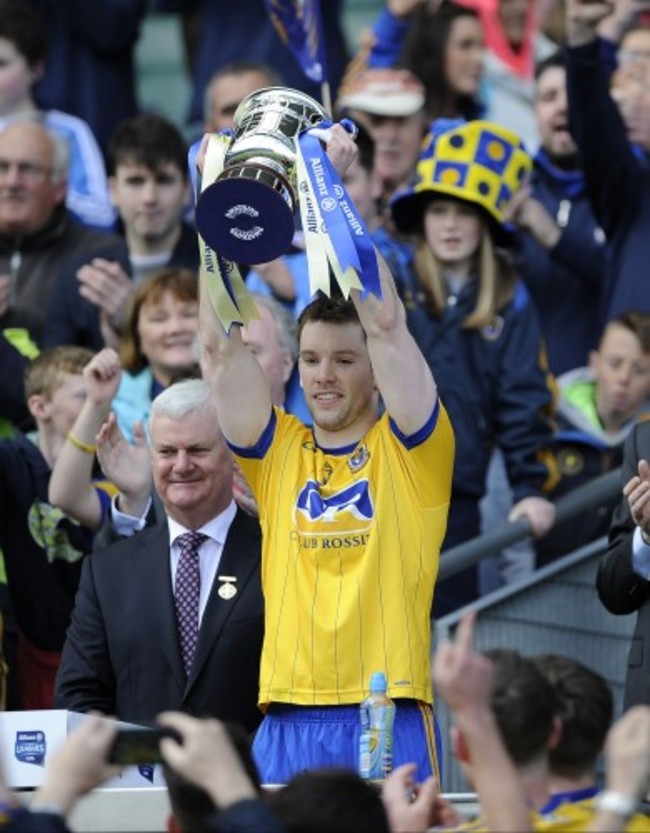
(376, 742)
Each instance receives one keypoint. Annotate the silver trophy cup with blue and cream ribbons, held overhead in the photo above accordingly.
(253, 183)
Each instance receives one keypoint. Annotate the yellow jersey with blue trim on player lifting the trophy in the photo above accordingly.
(351, 550)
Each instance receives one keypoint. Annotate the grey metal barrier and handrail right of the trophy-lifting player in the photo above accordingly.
(537, 613)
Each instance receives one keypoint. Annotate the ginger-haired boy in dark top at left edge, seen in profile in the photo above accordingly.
(42, 547)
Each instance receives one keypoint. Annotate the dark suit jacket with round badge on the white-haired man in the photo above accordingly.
(121, 654)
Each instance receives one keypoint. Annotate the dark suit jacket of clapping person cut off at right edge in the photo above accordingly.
(620, 589)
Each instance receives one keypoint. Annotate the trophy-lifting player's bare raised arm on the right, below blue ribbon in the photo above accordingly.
(402, 374)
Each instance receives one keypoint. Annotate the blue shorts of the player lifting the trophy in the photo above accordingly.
(292, 739)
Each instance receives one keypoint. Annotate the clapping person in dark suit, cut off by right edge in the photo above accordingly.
(624, 573)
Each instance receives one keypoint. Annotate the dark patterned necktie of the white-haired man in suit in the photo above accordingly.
(187, 590)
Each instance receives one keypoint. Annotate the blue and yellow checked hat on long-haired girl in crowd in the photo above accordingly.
(476, 161)
